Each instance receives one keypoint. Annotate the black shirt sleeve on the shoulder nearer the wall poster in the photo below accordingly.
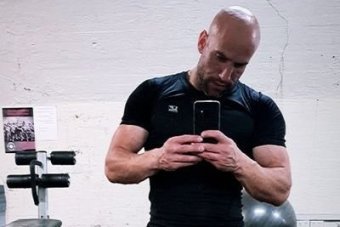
(139, 105)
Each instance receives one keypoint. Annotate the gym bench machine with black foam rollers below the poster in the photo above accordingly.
(39, 180)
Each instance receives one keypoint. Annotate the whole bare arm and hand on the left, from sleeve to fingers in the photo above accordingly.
(123, 163)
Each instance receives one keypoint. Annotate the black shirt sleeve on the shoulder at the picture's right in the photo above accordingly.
(270, 127)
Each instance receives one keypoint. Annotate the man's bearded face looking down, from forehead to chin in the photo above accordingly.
(224, 58)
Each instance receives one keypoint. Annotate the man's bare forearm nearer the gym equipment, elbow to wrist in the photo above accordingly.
(130, 168)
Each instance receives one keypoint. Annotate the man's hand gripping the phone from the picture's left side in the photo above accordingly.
(180, 151)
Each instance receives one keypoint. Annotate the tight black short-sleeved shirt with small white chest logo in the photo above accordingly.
(200, 195)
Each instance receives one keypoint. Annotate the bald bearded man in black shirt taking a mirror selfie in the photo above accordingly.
(194, 182)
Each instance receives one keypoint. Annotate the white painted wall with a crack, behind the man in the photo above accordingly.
(85, 57)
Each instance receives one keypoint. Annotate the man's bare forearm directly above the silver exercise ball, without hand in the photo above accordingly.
(267, 184)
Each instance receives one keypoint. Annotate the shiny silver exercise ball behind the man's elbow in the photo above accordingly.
(261, 214)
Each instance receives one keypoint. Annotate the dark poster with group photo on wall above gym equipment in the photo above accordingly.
(18, 126)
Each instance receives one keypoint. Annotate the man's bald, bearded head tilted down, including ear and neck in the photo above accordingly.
(226, 50)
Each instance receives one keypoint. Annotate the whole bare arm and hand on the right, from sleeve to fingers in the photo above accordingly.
(267, 178)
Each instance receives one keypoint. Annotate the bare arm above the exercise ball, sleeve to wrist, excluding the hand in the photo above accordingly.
(268, 178)
